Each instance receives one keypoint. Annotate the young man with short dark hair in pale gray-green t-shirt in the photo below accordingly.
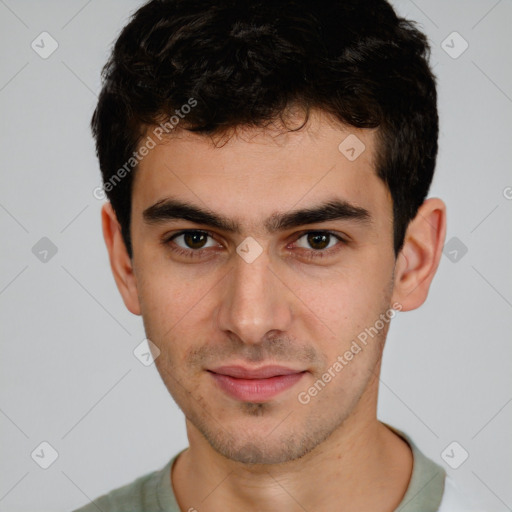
(267, 166)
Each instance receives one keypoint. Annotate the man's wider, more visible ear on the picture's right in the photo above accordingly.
(419, 258)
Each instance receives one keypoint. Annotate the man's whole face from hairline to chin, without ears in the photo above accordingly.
(272, 250)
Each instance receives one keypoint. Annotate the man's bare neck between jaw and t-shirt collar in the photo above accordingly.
(362, 466)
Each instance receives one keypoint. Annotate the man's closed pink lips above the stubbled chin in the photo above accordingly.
(255, 384)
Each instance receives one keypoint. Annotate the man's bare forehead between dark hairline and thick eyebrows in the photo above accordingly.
(255, 172)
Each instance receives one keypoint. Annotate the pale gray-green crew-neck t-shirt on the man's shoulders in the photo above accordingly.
(153, 492)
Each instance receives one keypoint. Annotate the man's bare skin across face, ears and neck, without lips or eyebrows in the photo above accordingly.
(285, 308)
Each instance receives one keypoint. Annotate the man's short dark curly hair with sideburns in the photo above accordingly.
(244, 63)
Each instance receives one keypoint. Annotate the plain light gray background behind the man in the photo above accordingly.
(68, 373)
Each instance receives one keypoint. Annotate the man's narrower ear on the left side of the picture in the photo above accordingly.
(120, 261)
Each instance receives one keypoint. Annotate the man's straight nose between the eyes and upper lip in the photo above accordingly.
(255, 302)
